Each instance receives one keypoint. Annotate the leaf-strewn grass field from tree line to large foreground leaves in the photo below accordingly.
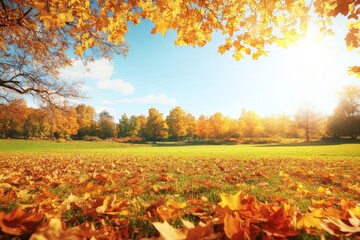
(76, 182)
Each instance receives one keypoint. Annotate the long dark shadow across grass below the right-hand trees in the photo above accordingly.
(314, 143)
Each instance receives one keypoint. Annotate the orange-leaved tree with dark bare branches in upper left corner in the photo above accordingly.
(36, 38)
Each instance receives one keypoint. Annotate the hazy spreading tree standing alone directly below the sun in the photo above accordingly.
(308, 120)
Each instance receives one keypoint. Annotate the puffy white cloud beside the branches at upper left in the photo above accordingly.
(100, 71)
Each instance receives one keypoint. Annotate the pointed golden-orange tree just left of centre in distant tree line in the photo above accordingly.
(156, 125)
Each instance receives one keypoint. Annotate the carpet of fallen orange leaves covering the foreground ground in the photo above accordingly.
(67, 196)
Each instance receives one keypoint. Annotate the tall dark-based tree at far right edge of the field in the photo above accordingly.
(346, 118)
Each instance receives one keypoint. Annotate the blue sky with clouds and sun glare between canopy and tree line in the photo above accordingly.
(156, 73)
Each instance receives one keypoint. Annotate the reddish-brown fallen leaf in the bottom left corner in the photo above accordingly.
(18, 222)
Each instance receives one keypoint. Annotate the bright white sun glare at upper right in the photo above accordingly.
(310, 64)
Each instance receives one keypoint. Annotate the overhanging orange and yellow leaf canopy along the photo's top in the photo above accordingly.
(36, 36)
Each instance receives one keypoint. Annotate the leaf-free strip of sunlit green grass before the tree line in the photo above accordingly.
(311, 151)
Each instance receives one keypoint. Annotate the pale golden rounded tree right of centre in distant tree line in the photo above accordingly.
(250, 124)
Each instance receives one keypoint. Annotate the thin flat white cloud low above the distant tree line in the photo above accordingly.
(148, 99)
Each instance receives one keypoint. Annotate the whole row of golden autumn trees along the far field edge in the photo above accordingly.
(81, 122)
